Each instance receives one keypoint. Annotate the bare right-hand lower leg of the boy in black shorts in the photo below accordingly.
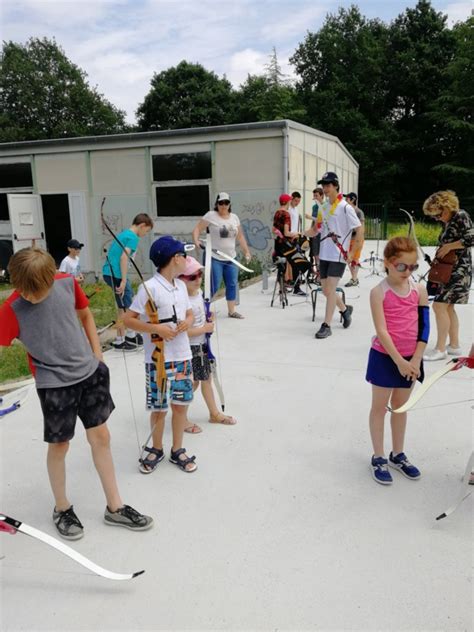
(99, 440)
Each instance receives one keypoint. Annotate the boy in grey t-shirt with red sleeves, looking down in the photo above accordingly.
(46, 312)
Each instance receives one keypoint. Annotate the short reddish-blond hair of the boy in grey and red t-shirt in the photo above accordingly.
(32, 271)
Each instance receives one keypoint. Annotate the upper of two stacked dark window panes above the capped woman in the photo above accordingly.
(182, 166)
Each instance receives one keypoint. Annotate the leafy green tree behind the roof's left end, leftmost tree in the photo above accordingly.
(44, 95)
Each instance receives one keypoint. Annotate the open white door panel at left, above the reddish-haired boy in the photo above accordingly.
(26, 218)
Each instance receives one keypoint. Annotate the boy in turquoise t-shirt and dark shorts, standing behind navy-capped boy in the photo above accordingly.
(115, 270)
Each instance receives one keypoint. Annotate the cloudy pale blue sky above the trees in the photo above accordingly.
(120, 44)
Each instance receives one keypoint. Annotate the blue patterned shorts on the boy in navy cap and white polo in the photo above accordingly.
(178, 385)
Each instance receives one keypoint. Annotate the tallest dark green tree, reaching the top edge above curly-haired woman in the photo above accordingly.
(420, 48)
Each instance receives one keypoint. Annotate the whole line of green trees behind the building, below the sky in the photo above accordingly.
(400, 97)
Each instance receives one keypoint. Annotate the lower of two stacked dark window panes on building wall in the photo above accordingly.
(182, 201)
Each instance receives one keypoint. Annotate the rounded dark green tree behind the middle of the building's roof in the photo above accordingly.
(186, 95)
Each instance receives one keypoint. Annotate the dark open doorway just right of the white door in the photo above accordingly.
(57, 224)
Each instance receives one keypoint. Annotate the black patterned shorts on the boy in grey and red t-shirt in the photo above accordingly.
(90, 399)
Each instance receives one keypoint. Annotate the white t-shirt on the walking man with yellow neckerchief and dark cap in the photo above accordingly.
(342, 222)
